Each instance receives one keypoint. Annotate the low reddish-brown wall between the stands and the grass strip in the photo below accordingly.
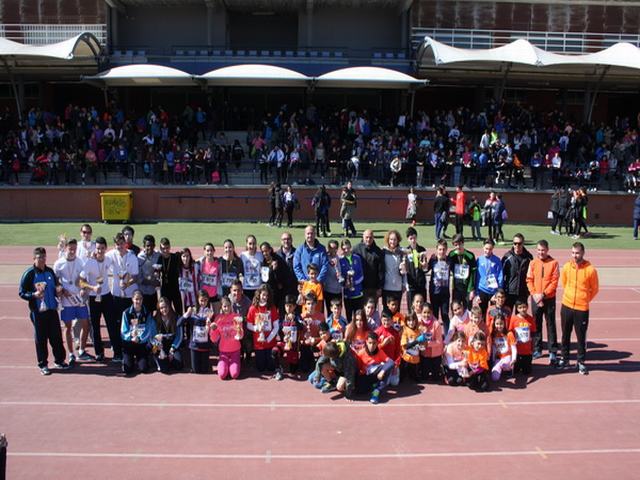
(247, 203)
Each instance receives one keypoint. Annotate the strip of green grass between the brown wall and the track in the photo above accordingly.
(195, 234)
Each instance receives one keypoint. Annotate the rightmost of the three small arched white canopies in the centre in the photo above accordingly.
(367, 77)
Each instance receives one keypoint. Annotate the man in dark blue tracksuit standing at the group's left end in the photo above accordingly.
(39, 286)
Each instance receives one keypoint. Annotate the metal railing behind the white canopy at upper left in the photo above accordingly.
(44, 34)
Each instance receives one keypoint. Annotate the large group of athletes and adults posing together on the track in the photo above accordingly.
(333, 313)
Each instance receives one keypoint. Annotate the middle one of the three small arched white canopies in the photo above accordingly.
(247, 75)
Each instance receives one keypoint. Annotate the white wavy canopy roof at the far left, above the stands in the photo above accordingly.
(82, 45)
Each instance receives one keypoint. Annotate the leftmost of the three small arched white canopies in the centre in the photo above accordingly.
(142, 75)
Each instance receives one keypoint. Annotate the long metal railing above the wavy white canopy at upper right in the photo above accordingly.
(557, 42)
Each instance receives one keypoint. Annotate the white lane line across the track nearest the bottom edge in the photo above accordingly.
(269, 456)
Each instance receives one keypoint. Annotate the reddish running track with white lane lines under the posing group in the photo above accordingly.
(91, 422)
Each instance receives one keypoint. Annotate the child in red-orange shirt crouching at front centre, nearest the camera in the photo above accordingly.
(375, 368)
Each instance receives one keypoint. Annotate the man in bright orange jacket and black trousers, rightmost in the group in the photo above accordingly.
(580, 283)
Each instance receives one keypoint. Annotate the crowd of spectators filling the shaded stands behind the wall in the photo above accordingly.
(504, 146)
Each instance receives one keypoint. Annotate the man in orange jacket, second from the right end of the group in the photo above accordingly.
(542, 281)
